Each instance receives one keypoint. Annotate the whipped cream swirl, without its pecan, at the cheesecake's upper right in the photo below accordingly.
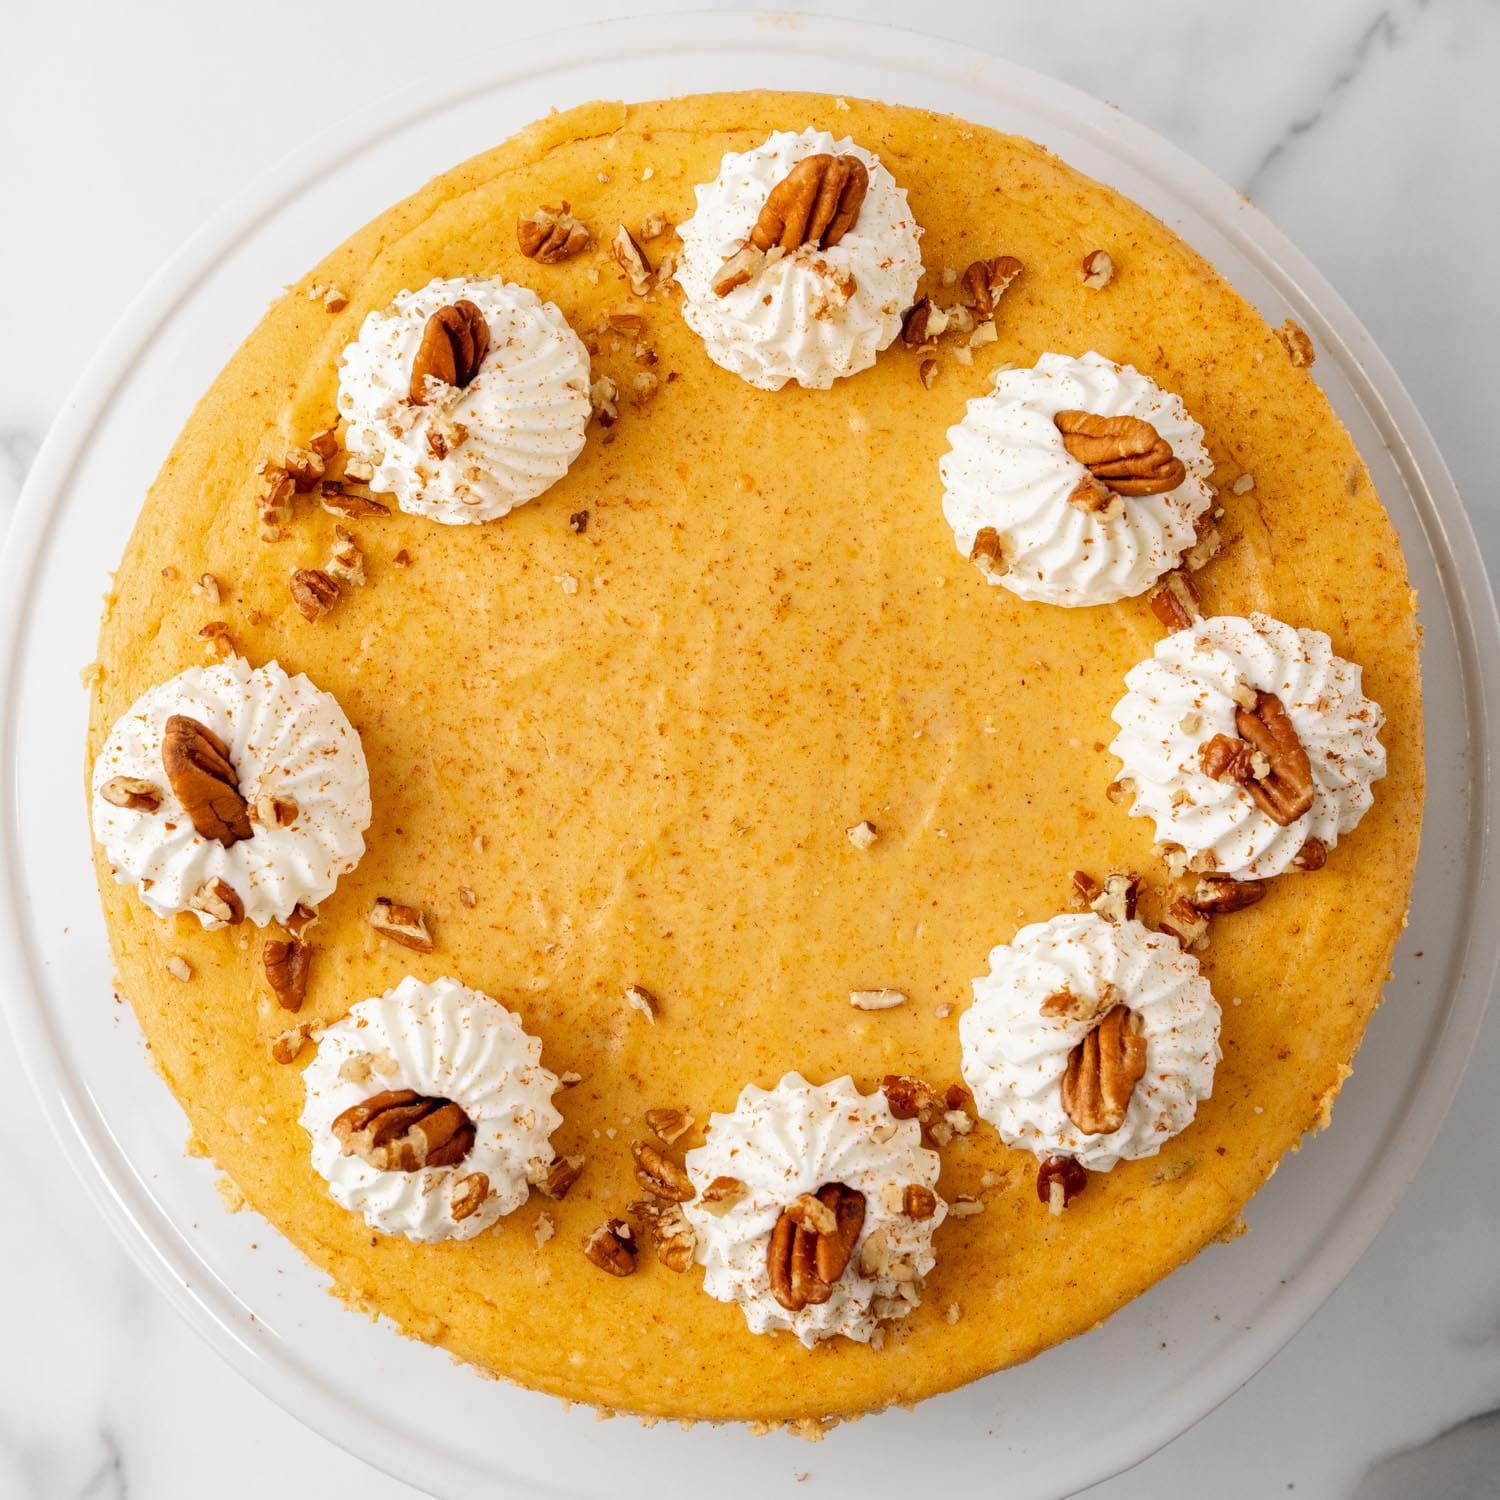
(1009, 470)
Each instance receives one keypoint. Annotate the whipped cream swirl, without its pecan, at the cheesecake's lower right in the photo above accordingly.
(1015, 1055)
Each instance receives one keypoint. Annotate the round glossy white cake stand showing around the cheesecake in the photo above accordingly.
(1075, 1415)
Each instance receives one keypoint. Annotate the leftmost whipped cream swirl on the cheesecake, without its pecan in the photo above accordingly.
(289, 742)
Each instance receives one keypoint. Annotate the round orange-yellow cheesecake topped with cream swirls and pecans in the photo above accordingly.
(712, 772)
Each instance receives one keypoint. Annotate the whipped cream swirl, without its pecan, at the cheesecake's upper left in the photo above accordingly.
(478, 452)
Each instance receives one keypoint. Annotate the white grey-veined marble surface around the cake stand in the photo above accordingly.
(1367, 131)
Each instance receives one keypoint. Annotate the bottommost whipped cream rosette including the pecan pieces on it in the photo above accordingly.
(815, 1210)
